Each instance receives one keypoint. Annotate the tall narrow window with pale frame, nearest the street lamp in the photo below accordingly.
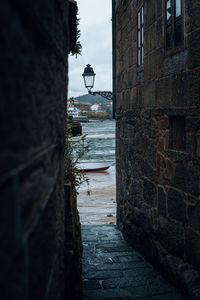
(140, 37)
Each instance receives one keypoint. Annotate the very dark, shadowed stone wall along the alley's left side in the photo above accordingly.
(34, 47)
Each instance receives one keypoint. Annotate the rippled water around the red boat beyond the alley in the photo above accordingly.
(99, 206)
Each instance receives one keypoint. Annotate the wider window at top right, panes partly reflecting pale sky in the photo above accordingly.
(173, 23)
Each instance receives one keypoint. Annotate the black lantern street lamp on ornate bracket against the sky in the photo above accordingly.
(88, 77)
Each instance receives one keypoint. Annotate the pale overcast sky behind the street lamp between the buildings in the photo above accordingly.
(96, 40)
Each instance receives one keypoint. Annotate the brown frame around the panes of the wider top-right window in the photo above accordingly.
(174, 48)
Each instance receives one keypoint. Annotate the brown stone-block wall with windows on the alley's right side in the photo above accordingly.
(158, 141)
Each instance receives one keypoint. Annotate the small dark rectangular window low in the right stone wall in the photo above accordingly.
(177, 136)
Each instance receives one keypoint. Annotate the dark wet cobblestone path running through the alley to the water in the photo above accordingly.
(113, 270)
